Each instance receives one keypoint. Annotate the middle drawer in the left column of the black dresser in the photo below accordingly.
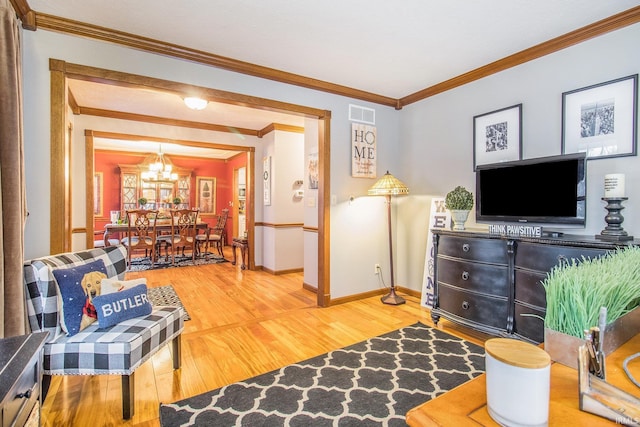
(481, 278)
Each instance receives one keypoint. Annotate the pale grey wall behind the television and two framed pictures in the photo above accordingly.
(437, 135)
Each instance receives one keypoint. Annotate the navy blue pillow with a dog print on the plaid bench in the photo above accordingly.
(77, 287)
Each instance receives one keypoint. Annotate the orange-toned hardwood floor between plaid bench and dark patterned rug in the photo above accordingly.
(243, 323)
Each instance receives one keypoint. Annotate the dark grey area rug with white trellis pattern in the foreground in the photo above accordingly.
(372, 383)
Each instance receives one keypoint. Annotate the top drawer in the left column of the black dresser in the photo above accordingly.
(482, 250)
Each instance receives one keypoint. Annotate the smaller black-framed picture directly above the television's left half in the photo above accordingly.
(497, 136)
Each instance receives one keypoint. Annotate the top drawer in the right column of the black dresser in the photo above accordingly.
(539, 257)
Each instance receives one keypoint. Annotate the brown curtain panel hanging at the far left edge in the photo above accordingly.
(12, 191)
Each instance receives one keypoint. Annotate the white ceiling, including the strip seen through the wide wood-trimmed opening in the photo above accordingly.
(392, 49)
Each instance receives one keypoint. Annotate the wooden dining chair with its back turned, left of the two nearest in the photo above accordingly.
(141, 233)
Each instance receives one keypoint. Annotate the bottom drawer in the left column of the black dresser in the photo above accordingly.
(483, 310)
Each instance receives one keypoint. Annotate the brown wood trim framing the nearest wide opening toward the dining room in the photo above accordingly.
(60, 230)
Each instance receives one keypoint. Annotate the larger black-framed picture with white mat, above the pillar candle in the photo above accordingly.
(600, 120)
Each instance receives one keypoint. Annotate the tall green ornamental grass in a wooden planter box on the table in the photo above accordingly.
(577, 290)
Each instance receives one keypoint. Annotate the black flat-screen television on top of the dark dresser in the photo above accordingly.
(545, 190)
